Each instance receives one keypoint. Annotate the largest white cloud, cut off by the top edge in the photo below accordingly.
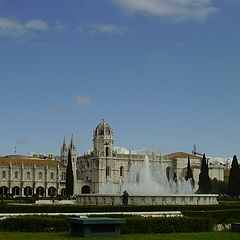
(177, 10)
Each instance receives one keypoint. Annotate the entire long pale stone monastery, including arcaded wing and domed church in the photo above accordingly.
(26, 176)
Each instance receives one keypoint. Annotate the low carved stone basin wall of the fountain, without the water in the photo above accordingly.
(174, 199)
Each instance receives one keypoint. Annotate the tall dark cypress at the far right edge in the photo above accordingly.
(234, 179)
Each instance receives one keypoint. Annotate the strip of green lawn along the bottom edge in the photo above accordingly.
(172, 236)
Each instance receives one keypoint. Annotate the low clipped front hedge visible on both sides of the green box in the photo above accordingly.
(133, 224)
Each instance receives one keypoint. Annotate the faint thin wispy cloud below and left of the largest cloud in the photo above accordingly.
(93, 28)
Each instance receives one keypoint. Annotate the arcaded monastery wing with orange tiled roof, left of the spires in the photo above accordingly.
(24, 176)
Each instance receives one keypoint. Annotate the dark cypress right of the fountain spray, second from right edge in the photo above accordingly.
(204, 179)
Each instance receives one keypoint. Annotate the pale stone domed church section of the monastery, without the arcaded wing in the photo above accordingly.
(104, 163)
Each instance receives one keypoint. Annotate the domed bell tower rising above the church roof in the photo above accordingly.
(103, 140)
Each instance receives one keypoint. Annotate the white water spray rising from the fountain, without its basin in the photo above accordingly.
(147, 179)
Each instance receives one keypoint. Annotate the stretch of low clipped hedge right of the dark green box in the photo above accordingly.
(166, 225)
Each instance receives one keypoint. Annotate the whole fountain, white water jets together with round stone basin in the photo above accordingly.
(147, 184)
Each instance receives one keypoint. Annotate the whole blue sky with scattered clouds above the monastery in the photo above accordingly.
(164, 73)
